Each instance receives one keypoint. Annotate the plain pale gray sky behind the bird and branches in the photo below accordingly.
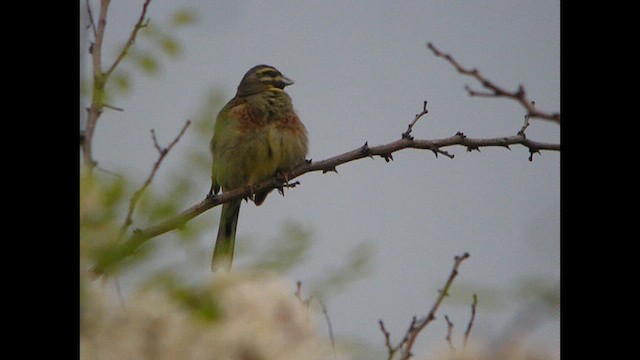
(361, 72)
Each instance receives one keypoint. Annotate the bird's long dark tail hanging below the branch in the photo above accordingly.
(223, 250)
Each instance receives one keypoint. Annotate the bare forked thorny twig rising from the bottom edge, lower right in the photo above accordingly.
(416, 326)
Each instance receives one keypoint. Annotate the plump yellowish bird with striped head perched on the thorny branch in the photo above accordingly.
(257, 134)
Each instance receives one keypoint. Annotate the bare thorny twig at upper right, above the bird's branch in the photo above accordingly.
(495, 91)
